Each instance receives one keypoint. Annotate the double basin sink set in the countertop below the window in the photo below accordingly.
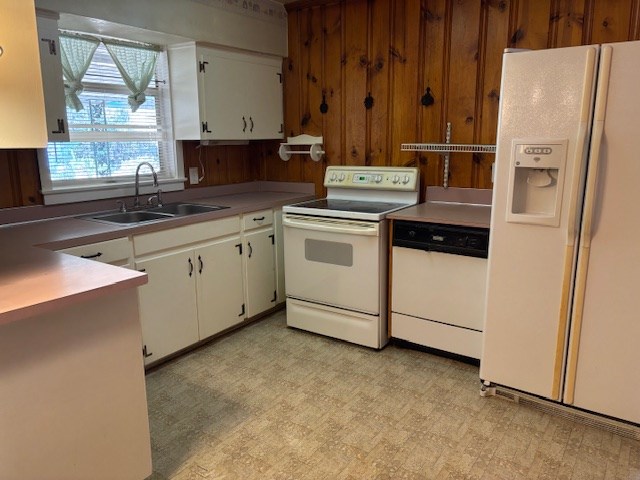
(154, 214)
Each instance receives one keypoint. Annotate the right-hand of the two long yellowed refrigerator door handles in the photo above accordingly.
(587, 221)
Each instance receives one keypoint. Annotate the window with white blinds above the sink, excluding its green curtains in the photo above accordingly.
(108, 140)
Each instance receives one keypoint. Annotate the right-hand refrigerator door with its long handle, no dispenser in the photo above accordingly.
(602, 371)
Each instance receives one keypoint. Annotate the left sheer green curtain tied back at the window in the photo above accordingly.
(76, 53)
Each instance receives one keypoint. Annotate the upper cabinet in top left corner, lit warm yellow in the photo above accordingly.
(22, 123)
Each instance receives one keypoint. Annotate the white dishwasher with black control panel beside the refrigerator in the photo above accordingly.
(438, 285)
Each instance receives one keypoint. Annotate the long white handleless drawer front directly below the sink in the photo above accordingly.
(186, 235)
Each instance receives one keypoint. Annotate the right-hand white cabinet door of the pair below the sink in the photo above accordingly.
(219, 285)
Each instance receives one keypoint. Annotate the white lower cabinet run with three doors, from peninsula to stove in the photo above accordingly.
(203, 279)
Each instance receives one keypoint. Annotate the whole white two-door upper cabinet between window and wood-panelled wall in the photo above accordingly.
(224, 95)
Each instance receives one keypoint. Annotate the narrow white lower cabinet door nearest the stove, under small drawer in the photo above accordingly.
(260, 271)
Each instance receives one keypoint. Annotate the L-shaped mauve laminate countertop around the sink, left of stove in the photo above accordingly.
(34, 278)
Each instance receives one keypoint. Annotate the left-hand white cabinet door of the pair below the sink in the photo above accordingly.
(168, 310)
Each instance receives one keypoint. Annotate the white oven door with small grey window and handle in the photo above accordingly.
(334, 262)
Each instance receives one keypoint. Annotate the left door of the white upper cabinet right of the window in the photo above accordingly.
(224, 85)
